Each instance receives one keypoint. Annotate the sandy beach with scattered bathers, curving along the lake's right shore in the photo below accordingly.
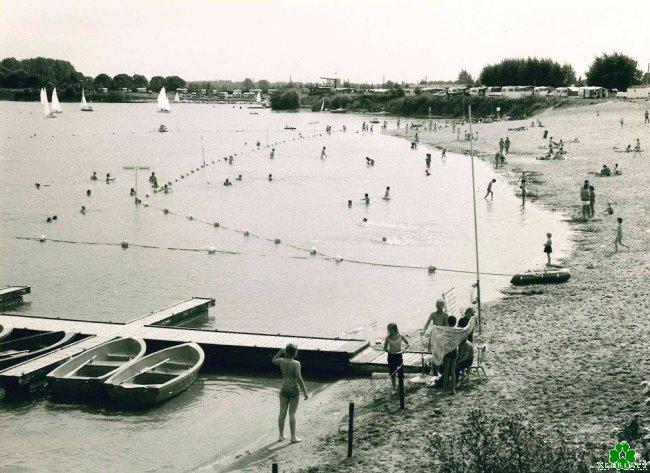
(571, 356)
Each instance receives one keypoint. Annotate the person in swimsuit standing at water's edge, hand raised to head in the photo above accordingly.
(292, 384)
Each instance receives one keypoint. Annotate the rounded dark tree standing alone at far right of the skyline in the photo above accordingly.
(614, 71)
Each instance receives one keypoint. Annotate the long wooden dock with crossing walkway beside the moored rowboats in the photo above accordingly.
(223, 349)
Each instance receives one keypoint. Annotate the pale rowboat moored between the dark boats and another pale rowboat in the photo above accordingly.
(84, 374)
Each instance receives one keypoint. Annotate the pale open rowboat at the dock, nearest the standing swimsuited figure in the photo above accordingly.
(156, 377)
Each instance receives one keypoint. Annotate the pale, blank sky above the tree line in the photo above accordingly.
(359, 40)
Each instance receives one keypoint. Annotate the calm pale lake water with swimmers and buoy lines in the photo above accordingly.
(263, 287)
